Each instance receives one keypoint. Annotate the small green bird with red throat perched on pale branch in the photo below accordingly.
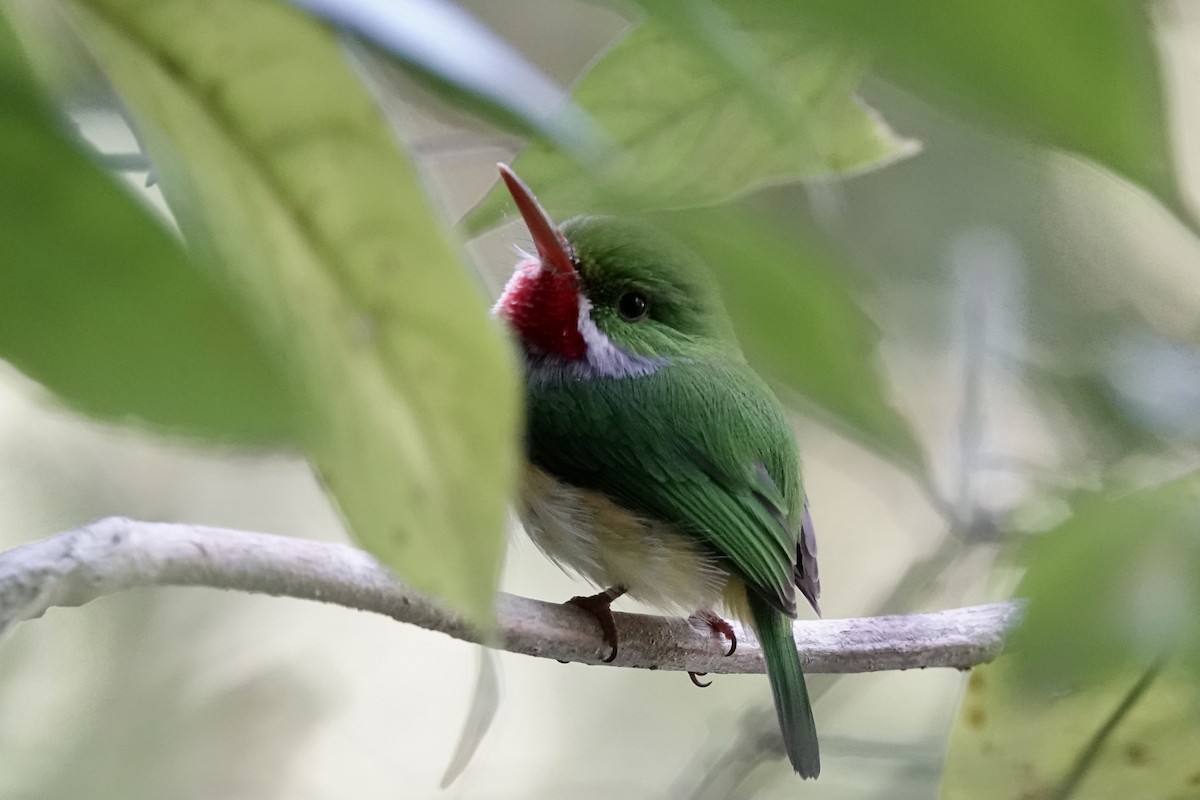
(659, 465)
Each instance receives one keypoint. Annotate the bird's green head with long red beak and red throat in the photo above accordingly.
(610, 297)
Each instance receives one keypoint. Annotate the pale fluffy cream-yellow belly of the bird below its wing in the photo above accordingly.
(592, 537)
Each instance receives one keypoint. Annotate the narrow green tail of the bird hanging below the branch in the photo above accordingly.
(793, 705)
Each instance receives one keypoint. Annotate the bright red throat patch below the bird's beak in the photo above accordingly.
(543, 306)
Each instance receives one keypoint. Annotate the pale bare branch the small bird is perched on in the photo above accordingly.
(117, 555)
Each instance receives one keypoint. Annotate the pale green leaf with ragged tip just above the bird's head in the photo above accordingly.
(689, 135)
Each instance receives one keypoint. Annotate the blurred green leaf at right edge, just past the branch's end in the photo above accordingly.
(1119, 582)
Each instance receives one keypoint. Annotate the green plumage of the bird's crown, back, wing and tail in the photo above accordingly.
(698, 442)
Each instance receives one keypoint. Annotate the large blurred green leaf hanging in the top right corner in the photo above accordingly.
(1078, 75)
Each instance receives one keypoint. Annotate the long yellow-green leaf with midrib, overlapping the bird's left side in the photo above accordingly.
(323, 232)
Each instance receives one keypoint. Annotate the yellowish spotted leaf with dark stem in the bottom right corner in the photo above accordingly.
(1018, 743)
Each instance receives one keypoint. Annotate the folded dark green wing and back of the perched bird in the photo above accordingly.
(703, 446)
